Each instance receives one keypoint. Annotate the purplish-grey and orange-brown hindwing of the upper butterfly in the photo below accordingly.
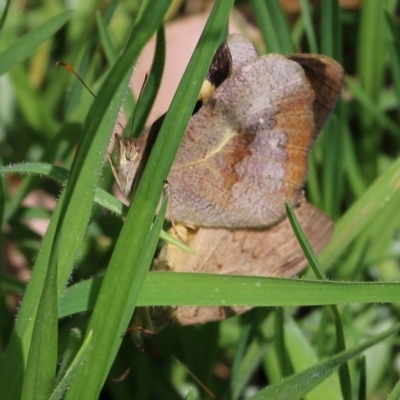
(245, 151)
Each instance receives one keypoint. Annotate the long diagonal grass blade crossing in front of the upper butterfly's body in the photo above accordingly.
(130, 247)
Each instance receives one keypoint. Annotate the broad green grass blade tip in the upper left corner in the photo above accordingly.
(26, 45)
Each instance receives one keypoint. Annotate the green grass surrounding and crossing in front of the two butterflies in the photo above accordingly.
(50, 127)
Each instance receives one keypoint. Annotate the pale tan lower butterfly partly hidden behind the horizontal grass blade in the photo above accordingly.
(274, 252)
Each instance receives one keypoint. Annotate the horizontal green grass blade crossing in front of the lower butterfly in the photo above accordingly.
(166, 289)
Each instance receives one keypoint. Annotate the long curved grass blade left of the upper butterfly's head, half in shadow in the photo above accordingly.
(76, 201)
